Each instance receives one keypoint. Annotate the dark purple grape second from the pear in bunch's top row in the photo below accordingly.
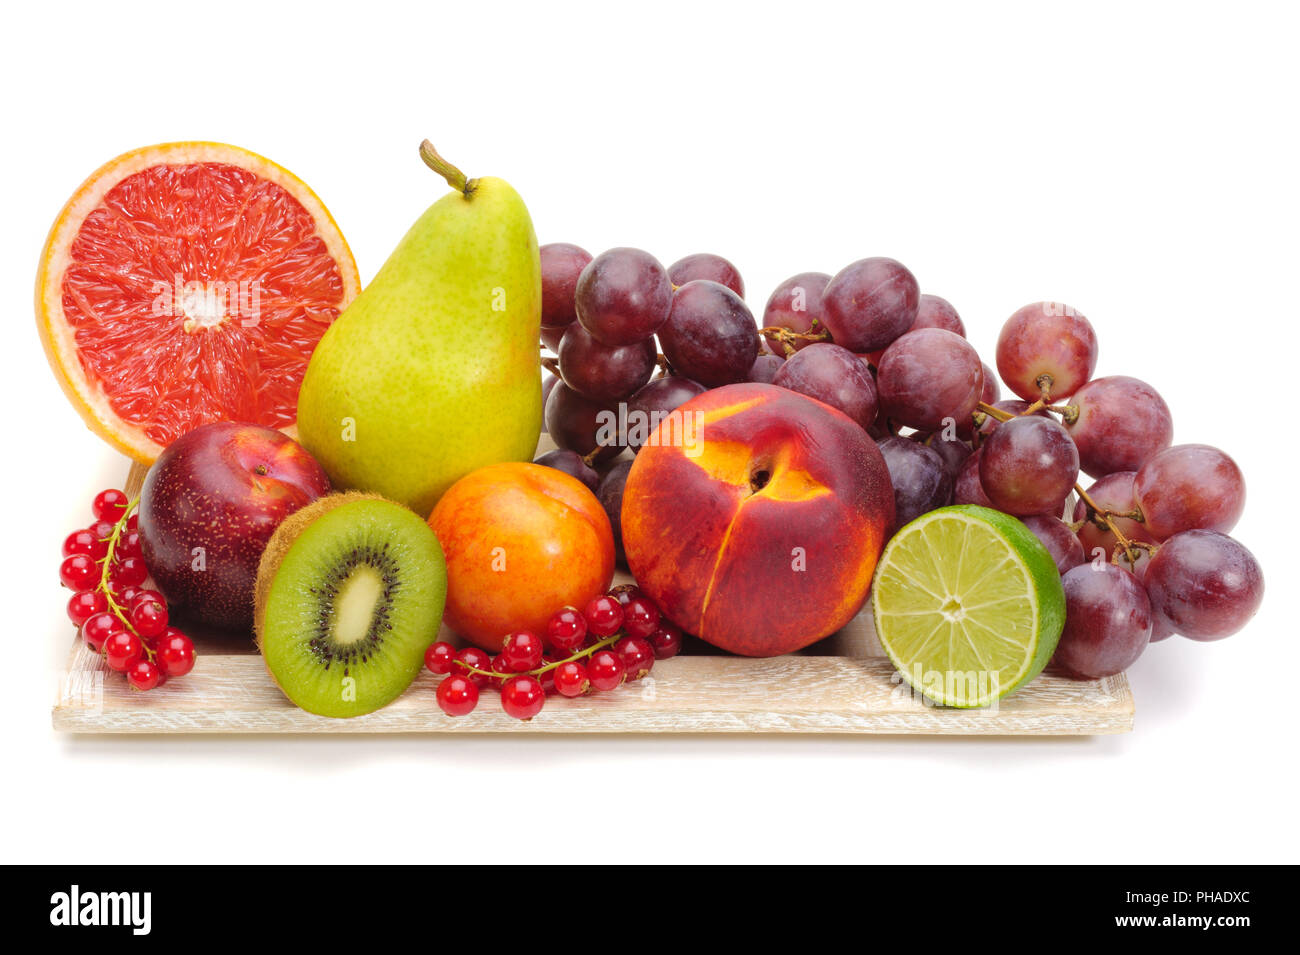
(623, 297)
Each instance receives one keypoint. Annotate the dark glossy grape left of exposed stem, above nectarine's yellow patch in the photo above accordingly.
(710, 336)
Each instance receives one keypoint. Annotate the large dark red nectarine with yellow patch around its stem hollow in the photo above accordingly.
(761, 537)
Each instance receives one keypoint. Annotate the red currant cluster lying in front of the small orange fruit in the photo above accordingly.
(614, 640)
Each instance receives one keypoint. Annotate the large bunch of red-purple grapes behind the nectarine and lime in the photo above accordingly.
(1143, 552)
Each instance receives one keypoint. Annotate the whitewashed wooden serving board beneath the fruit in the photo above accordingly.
(840, 685)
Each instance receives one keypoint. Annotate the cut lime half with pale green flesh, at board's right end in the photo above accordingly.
(968, 605)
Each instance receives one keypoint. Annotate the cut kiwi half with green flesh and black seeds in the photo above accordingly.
(350, 594)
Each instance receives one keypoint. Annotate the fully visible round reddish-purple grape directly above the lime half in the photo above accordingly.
(1029, 467)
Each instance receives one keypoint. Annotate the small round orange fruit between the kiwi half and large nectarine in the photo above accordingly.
(522, 541)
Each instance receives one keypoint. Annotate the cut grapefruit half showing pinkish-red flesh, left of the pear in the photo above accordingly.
(185, 284)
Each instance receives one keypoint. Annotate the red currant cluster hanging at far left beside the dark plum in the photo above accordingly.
(122, 620)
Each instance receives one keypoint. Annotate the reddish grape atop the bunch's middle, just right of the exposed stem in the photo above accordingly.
(870, 303)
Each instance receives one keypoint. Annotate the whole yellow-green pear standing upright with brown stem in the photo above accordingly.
(434, 371)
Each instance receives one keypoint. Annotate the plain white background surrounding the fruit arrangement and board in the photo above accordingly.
(1138, 164)
